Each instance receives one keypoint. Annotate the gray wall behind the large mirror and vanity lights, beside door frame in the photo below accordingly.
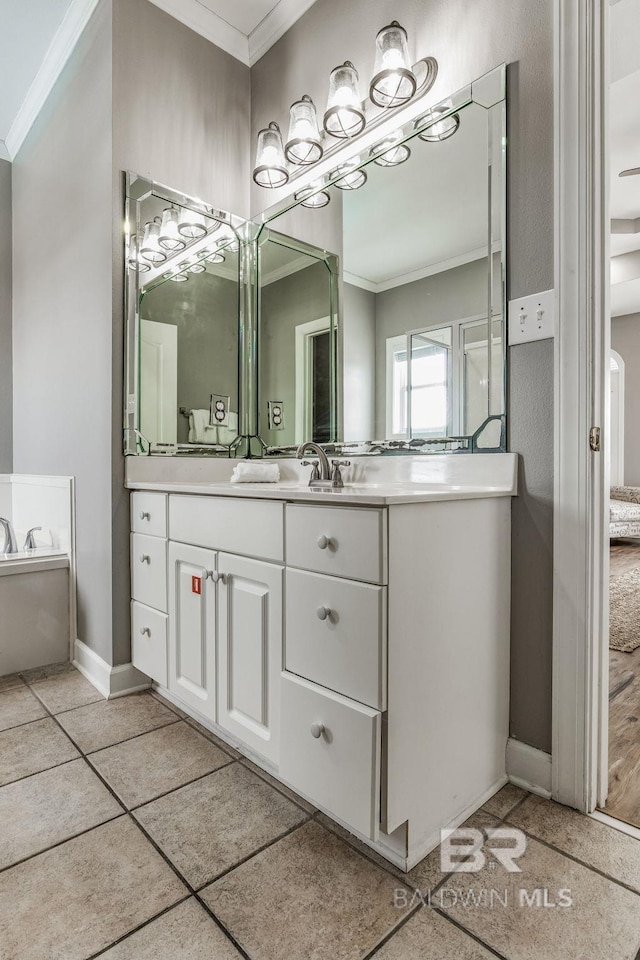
(469, 39)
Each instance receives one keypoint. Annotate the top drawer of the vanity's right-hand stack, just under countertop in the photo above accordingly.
(342, 541)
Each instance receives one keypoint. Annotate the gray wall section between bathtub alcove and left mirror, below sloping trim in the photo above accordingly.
(62, 338)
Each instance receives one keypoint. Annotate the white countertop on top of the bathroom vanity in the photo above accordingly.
(374, 494)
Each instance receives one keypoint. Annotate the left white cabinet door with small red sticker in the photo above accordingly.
(192, 627)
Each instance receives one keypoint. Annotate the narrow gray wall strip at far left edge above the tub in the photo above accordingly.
(6, 379)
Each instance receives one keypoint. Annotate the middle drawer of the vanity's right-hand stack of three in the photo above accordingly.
(336, 635)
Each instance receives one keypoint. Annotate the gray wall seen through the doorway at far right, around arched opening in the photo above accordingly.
(625, 339)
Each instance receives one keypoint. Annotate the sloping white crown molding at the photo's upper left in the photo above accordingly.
(60, 49)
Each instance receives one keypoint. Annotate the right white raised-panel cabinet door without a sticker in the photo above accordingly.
(250, 652)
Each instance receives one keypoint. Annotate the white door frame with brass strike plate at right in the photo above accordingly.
(580, 620)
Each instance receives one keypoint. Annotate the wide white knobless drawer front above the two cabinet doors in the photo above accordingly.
(253, 528)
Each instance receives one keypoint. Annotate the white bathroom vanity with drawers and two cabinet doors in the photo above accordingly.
(354, 643)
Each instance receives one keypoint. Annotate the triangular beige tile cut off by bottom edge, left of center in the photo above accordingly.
(186, 932)
